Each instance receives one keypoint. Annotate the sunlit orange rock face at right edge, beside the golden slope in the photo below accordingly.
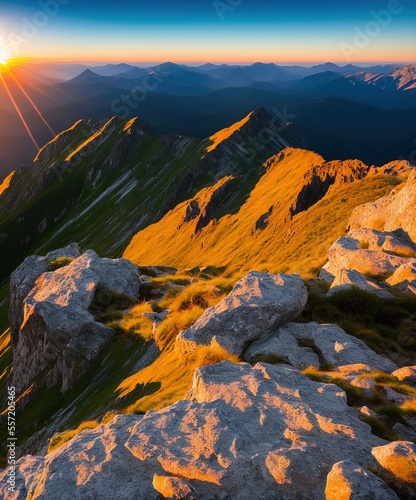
(397, 210)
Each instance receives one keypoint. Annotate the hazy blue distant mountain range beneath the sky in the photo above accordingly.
(333, 109)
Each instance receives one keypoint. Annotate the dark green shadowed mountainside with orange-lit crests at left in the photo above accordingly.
(118, 174)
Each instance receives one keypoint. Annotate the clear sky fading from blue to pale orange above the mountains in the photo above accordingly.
(238, 31)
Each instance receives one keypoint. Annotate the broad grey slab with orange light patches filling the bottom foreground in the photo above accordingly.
(265, 432)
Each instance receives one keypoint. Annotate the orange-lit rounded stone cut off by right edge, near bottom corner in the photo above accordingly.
(398, 457)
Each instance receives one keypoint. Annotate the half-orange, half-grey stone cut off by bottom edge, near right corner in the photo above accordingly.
(349, 481)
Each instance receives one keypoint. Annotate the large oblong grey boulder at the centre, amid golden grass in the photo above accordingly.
(257, 303)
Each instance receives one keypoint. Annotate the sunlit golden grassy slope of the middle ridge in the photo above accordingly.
(262, 235)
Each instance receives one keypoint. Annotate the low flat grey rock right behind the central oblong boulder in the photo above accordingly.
(334, 345)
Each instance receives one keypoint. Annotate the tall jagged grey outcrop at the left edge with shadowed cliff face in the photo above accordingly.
(55, 337)
